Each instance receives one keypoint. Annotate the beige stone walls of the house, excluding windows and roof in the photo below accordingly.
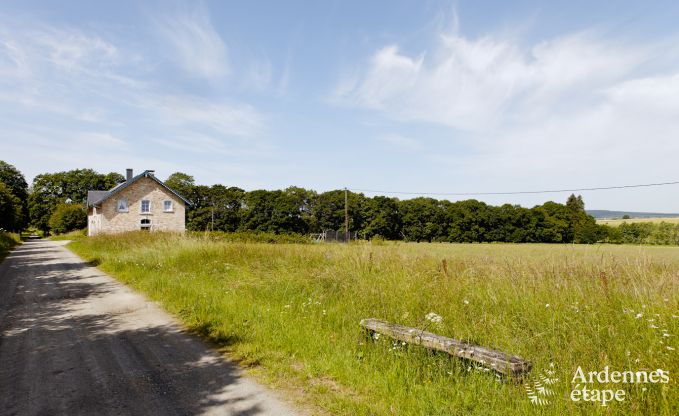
(113, 221)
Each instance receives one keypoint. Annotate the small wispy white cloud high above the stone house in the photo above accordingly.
(195, 44)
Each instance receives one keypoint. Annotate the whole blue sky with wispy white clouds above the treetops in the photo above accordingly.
(401, 96)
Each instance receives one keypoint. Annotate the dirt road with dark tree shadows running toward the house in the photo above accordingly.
(74, 341)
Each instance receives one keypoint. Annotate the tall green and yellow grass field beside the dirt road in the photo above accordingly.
(290, 313)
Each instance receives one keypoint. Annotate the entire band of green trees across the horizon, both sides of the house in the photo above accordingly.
(55, 202)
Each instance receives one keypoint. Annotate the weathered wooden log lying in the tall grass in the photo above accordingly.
(509, 365)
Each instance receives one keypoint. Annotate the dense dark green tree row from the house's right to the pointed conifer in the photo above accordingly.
(304, 211)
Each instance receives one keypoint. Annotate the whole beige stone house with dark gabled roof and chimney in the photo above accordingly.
(142, 202)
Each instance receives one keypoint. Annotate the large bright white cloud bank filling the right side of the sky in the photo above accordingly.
(579, 110)
